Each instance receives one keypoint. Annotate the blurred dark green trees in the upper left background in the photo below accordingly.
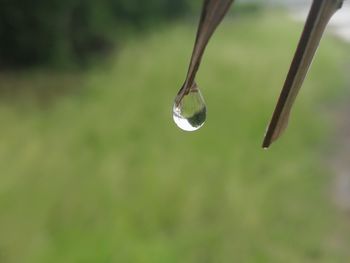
(64, 31)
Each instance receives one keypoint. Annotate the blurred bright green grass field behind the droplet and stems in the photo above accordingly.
(92, 169)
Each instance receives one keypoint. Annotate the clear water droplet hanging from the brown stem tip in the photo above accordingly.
(190, 113)
